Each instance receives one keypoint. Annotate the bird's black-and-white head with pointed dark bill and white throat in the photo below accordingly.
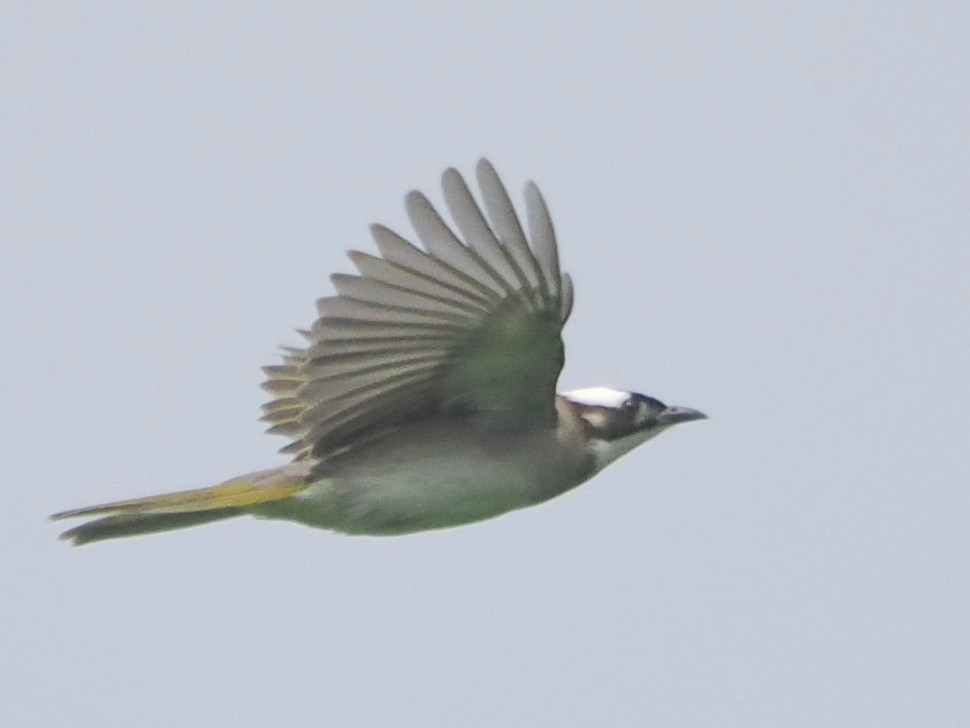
(618, 421)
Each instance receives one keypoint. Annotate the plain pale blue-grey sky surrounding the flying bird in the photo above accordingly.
(765, 210)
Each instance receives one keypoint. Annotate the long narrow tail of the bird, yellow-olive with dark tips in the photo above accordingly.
(186, 508)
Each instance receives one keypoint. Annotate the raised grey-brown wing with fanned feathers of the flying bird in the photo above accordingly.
(470, 325)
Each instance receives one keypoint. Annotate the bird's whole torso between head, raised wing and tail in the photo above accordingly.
(437, 474)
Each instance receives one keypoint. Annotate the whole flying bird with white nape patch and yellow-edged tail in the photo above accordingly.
(425, 394)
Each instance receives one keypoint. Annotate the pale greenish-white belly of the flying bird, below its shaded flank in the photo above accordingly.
(390, 490)
